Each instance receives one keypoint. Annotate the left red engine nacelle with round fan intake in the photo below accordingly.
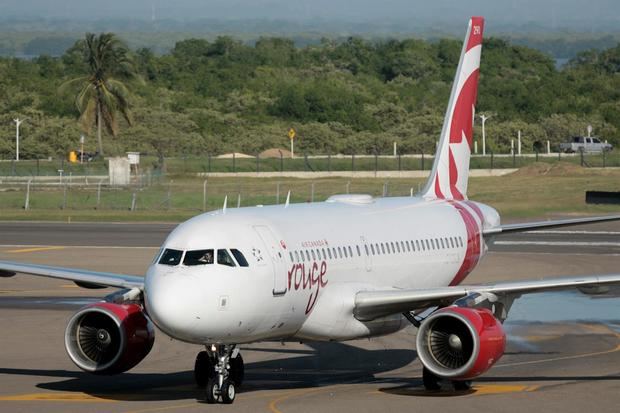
(106, 338)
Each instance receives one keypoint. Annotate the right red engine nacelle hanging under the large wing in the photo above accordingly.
(460, 343)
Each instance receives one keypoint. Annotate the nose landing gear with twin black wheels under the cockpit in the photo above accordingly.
(219, 370)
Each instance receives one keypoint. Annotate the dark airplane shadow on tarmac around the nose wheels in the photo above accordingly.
(326, 363)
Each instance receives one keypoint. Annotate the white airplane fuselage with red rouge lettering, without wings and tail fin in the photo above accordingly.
(306, 262)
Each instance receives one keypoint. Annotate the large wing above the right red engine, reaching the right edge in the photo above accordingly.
(370, 305)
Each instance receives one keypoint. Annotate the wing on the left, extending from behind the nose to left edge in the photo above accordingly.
(84, 278)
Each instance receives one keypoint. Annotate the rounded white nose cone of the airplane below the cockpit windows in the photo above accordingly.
(168, 301)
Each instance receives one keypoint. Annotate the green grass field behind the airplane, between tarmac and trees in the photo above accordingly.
(539, 190)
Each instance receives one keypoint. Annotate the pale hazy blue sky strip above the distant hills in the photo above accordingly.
(551, 13)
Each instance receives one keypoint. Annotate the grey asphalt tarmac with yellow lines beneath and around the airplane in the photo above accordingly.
(563, 352)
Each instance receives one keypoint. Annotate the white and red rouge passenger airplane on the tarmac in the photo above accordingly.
(351, 267)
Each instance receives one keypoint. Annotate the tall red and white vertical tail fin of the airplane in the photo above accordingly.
(448, 179)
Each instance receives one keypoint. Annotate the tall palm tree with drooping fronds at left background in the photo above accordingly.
(102, 94)
